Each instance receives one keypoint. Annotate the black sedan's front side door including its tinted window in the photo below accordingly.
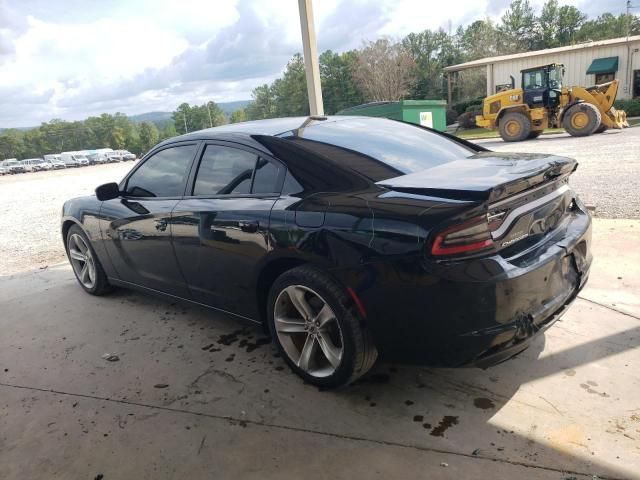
(136, 227)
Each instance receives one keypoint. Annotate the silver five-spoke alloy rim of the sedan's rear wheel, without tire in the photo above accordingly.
(308, 330)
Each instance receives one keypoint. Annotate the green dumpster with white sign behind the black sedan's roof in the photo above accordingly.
(429, 113)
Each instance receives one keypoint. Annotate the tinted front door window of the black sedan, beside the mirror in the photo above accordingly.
(164, 174)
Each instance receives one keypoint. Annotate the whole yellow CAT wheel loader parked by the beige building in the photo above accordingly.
(542, 102)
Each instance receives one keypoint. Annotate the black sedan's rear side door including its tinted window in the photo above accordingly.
(220, 232)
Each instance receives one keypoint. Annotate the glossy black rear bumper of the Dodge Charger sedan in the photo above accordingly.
(477, 312)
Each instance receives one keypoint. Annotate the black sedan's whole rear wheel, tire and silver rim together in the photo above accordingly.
(317, 329)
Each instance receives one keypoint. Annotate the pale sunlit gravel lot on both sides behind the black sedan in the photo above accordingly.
(30, 204)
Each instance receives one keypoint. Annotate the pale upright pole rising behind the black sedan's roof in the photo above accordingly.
(312, 67)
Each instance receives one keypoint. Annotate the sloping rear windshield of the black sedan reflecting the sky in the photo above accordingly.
(404, 147)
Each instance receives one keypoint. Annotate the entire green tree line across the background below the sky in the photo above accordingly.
(383, 69)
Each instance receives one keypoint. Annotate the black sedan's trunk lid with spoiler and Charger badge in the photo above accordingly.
(524, 198)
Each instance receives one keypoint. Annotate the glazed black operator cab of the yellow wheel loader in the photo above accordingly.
(542, 86)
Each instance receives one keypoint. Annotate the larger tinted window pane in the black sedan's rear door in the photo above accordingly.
(224, 171)
